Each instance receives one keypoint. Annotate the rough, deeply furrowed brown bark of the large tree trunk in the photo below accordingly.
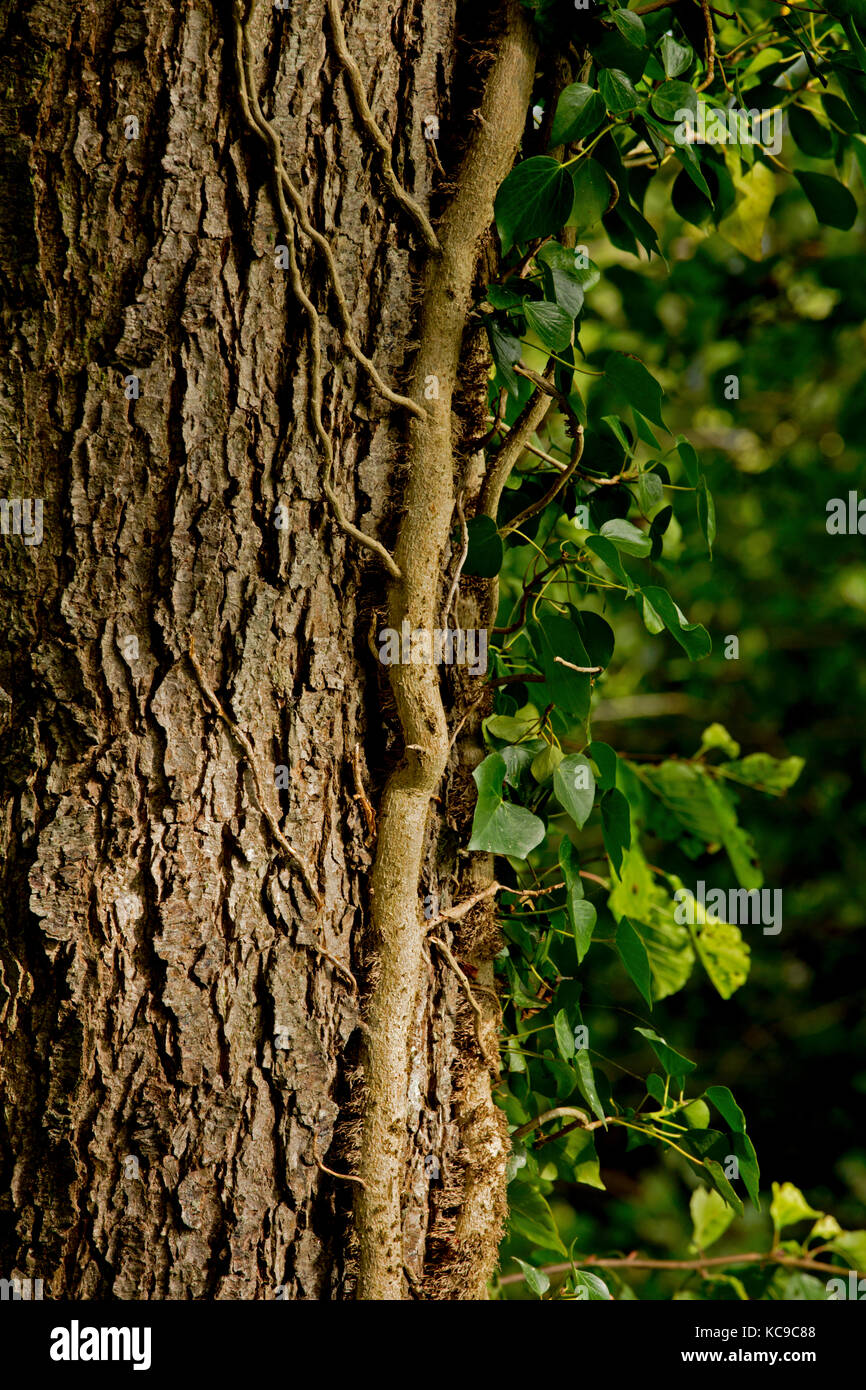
(186, 1049)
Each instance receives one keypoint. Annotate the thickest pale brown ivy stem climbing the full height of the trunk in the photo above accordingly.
(422, 554)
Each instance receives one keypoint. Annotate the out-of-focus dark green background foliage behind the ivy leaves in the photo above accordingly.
(792, 1043)
